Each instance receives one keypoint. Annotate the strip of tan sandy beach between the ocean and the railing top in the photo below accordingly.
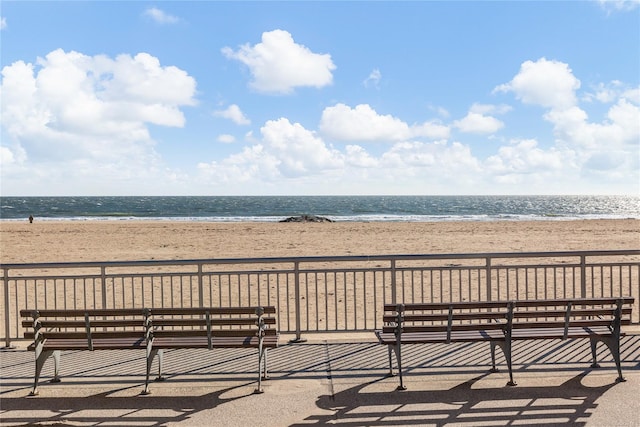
(70, 241)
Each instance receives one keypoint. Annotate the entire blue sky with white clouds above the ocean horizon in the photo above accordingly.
(309, 98)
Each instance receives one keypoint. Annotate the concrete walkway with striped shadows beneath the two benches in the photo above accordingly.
(328, 380)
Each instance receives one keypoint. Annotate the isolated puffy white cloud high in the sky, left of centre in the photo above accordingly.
(279, 65)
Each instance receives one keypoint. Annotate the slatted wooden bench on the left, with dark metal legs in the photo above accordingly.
(151, 330)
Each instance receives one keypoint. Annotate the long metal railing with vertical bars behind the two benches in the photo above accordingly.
(318, 294)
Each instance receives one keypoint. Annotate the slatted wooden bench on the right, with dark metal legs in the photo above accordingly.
(502, 322)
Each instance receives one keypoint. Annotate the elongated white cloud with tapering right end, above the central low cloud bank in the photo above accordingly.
(363, 123)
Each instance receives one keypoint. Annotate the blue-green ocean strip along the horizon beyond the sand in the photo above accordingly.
(336, 208)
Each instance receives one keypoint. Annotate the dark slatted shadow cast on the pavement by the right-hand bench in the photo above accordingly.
(569, 403)
